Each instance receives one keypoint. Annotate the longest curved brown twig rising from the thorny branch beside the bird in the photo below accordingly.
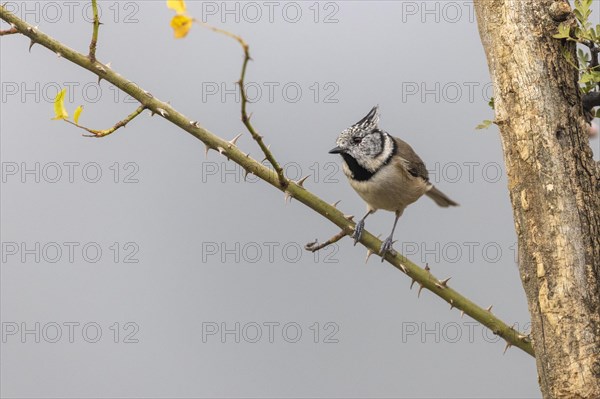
(245, 117)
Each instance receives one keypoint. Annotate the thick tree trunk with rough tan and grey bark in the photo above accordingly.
(553, 185)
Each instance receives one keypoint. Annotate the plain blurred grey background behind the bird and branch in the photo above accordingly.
(198, 250)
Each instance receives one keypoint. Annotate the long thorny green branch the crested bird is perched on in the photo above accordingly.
(421, 276)
